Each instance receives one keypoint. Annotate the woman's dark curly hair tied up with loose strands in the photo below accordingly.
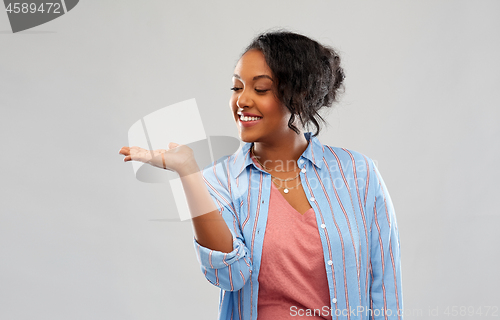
(307, 74)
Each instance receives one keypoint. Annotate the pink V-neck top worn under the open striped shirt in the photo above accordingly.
(292, 276)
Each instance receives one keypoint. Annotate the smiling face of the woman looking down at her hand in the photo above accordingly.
(259, 115)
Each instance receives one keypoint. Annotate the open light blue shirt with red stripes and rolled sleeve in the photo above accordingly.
(355, 219)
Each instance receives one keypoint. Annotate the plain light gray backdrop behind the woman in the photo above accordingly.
(81, 238)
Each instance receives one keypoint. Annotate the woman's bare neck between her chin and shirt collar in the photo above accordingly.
(281, 154)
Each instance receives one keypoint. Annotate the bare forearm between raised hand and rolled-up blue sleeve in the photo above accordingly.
(210, 229)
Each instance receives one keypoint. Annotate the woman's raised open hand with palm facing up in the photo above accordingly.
(179, 158)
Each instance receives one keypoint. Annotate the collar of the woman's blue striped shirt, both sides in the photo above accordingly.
(241, 159)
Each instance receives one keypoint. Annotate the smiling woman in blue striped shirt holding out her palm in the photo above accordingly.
(299, 228)
